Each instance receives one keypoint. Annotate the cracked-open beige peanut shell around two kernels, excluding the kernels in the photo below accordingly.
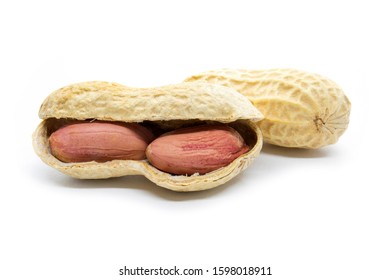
(169, 106)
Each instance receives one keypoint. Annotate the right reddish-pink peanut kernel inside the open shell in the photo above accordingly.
(200, 149)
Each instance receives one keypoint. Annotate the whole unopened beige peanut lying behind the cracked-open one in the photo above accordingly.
(301, 109)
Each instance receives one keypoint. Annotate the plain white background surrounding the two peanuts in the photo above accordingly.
(307, 214)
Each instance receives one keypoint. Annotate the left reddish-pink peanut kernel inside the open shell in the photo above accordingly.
(100, 142)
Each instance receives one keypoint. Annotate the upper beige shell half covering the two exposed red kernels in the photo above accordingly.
(184, 101)
